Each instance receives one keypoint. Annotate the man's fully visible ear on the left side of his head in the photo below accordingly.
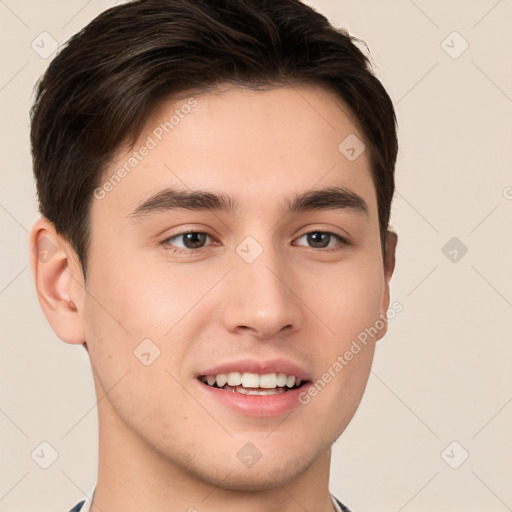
(59, 281)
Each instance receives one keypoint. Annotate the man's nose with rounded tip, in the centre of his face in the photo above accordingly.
(260, 299)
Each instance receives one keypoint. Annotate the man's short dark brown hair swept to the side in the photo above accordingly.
(100, 88)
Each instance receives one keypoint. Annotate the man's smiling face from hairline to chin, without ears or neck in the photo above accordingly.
(262, 284)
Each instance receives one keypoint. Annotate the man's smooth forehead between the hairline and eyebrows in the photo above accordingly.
(265, 145)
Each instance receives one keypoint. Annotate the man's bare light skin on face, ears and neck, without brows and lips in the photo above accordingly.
(163, 445)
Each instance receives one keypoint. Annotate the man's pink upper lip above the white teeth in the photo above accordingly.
(260, 367)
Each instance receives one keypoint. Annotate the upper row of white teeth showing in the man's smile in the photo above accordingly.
(252, 380)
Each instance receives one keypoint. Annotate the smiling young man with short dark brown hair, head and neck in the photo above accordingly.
(215, 180)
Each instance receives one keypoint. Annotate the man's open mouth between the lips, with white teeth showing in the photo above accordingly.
(254, 384)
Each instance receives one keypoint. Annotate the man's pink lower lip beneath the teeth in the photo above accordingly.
(256, 405)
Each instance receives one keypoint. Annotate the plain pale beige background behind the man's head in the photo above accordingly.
(442, 373)
